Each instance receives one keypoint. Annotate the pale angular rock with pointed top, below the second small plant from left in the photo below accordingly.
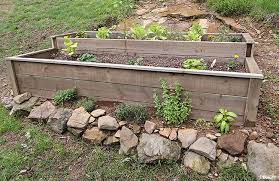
(79, 119)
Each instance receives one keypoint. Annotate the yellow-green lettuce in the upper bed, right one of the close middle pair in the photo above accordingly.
(158, 32)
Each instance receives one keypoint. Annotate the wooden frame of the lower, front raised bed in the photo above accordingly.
(209, 90)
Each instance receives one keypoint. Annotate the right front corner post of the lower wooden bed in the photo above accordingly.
(252, 102)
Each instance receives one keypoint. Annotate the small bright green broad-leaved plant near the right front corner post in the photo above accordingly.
(223, 119)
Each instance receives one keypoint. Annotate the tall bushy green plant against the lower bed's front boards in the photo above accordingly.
(173, 106)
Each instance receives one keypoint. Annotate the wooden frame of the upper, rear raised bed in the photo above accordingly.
(204, 48)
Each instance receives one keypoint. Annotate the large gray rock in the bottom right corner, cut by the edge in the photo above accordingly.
(263, 160)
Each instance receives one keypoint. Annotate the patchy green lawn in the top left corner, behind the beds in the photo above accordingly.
(30, 23)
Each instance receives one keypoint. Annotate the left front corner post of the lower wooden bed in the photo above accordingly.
(12, 76)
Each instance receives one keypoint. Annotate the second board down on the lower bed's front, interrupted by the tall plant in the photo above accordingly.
(201, 101)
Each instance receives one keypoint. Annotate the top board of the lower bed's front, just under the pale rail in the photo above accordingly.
(193, 83)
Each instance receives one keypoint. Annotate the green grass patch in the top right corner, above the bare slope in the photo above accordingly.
(256, 8)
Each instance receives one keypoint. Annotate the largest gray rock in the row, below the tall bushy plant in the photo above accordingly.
(154, 147)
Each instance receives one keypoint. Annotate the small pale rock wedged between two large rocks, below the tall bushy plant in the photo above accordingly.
(187, 137)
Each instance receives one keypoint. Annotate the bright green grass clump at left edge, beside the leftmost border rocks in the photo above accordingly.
(7, 122)
